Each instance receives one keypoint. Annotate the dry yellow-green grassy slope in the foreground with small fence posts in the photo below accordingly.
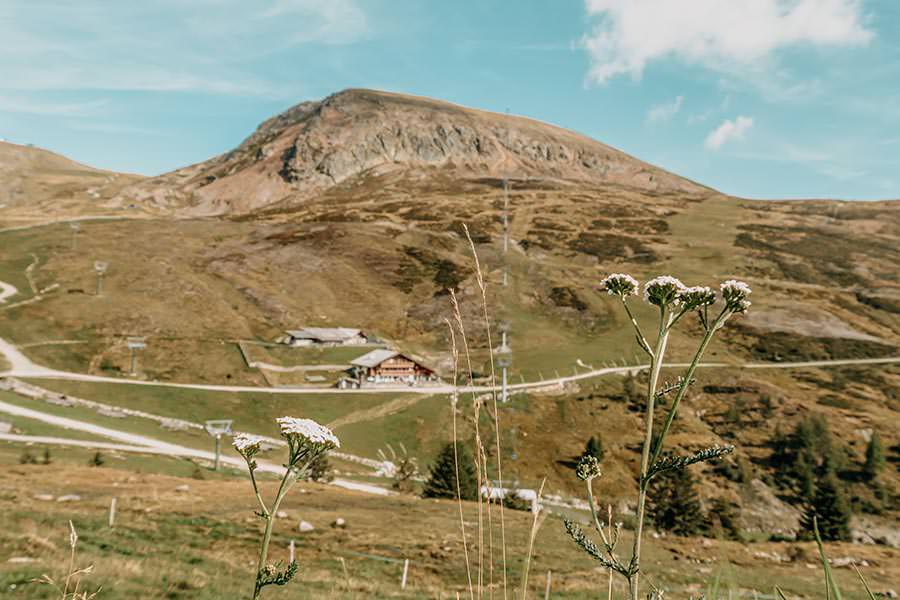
(200, 544)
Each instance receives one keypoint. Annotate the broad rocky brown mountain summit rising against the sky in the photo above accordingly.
(359, 134)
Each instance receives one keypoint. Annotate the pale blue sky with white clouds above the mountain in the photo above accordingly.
(756, 98)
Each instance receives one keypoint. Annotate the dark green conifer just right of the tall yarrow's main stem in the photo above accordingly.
(673, 503)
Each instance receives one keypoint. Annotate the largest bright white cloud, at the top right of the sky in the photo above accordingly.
(714, 33)
